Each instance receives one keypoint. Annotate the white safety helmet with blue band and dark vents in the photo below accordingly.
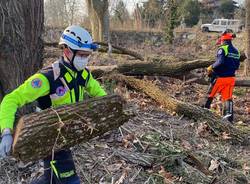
(77, 38)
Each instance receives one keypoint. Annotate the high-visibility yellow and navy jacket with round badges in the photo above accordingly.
(56, 85)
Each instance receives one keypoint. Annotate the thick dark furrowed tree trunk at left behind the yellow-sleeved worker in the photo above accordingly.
(21, 44)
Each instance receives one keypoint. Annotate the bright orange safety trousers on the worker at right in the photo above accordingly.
(224, 86)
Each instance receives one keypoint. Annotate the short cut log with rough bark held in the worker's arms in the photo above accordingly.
(40, 133)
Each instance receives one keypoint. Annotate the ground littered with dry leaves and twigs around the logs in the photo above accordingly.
(153, 146)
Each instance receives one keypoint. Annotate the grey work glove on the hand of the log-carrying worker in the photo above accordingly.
(6, 143)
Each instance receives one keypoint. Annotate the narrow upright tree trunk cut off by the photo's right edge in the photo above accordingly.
(247, 63)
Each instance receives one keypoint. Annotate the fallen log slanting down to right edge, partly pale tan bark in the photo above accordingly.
(214, 121)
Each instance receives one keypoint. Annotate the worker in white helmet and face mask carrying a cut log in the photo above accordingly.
(64, 82)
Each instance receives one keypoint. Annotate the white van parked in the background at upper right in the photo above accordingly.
(220, 25)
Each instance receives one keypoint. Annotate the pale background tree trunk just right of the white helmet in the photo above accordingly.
(99, 18)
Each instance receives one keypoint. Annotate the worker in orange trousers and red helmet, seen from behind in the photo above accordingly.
(222, 74)
